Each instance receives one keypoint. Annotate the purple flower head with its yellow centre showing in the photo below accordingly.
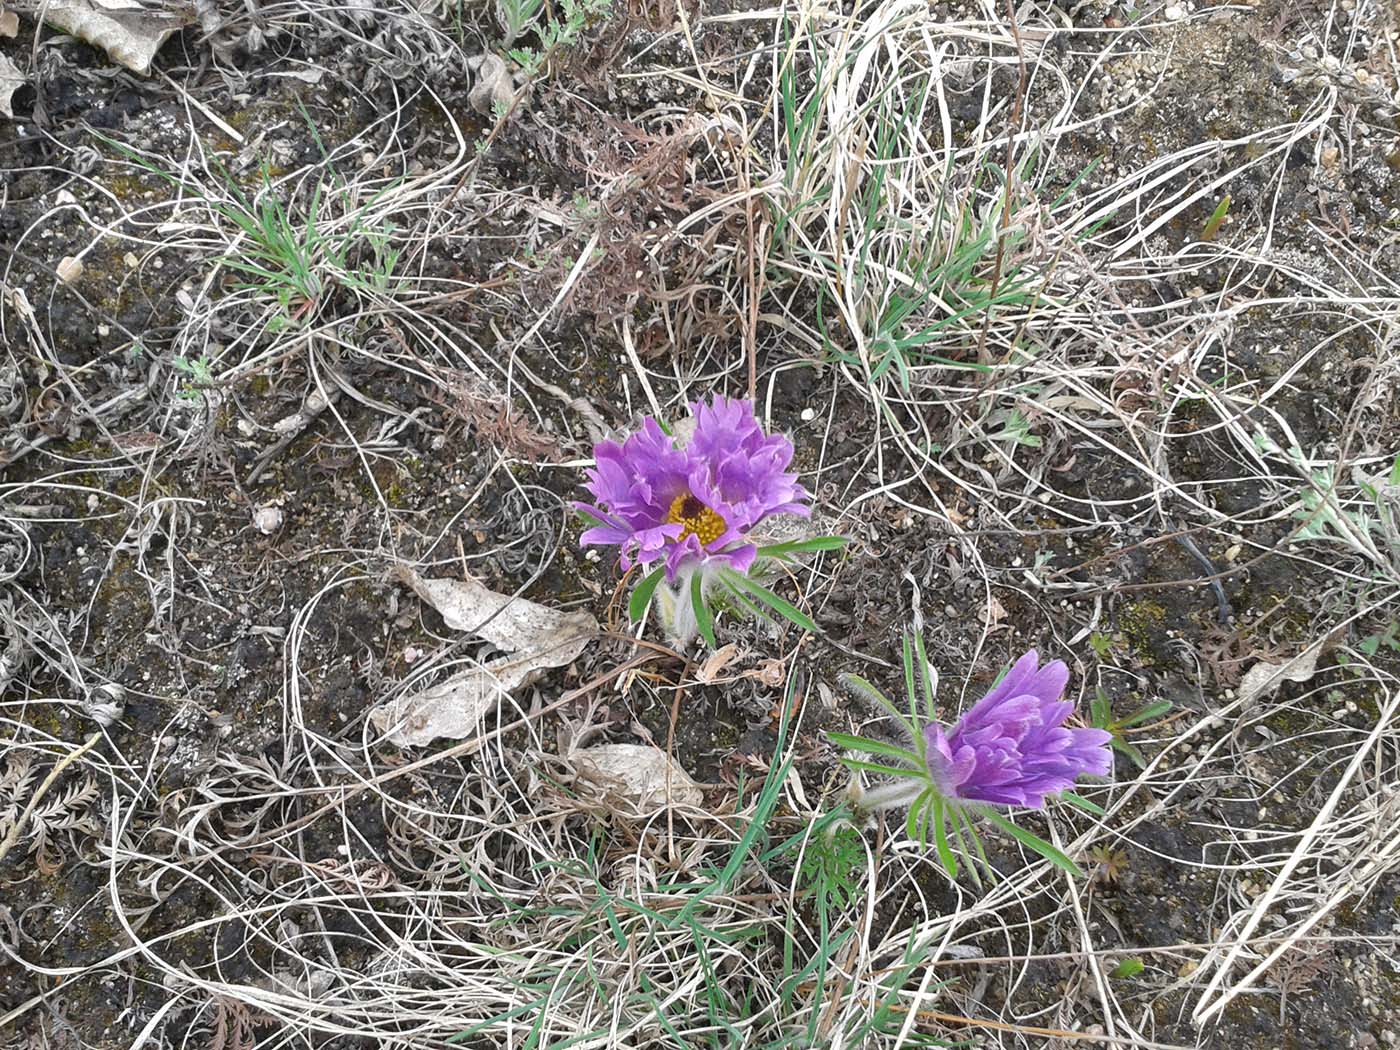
(695, 503)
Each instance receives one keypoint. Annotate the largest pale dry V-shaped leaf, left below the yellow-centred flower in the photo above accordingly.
(535, 636)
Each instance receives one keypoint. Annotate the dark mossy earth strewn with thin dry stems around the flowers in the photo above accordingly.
(198, 559)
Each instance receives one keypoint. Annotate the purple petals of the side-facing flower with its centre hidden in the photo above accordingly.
(1013, 747)
